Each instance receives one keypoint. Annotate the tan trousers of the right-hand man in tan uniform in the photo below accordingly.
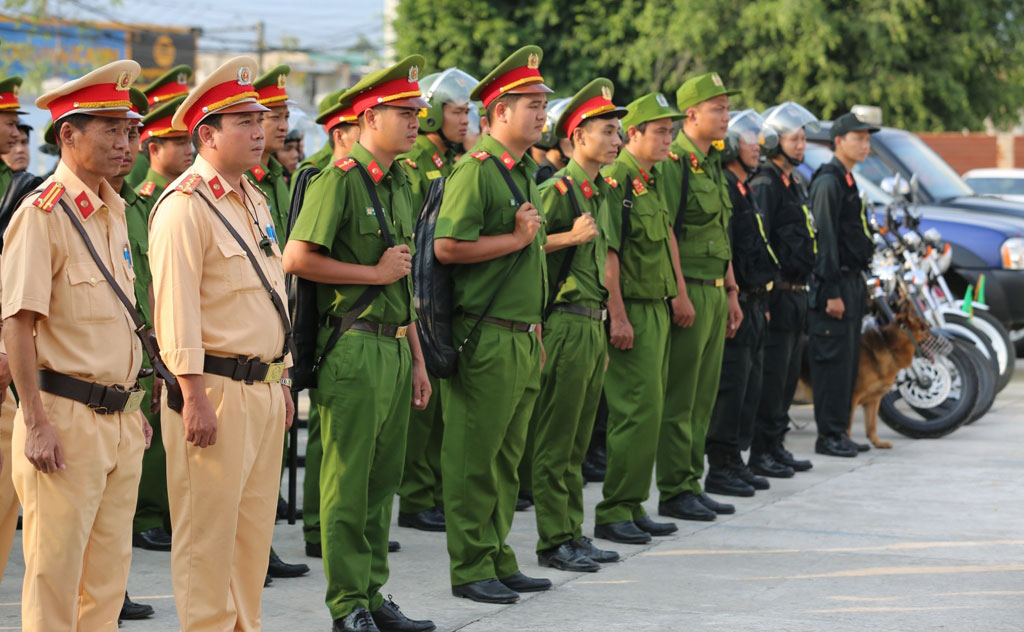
(224, 501)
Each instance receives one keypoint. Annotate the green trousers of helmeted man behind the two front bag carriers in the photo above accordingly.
(421, 479)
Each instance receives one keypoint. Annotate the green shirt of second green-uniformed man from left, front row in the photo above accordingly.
(478, 202)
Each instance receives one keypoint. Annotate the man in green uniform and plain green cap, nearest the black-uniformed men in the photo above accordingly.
(708, 305)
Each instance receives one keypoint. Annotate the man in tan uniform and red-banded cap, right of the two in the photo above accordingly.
(224, 336)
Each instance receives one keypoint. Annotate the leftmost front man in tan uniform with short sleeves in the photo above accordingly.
(79, 435)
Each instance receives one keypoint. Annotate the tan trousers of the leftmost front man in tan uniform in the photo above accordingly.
(77, 523)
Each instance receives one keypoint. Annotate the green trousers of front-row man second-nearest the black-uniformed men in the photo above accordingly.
(634, 389)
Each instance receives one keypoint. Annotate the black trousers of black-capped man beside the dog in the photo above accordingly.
(834, 351)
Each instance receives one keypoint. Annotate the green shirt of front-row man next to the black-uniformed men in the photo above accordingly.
(704, 247)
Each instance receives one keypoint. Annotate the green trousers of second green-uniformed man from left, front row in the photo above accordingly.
(488, 405)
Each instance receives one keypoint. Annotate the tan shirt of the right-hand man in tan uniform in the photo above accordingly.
(208, 298)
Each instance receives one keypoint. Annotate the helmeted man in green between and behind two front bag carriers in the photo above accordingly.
(443, 129)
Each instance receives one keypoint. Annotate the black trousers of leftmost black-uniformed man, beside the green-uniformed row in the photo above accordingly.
(732, 427)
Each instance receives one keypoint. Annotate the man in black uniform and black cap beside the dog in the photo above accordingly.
(838, 298)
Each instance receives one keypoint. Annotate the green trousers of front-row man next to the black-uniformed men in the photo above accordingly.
(695, 370)
